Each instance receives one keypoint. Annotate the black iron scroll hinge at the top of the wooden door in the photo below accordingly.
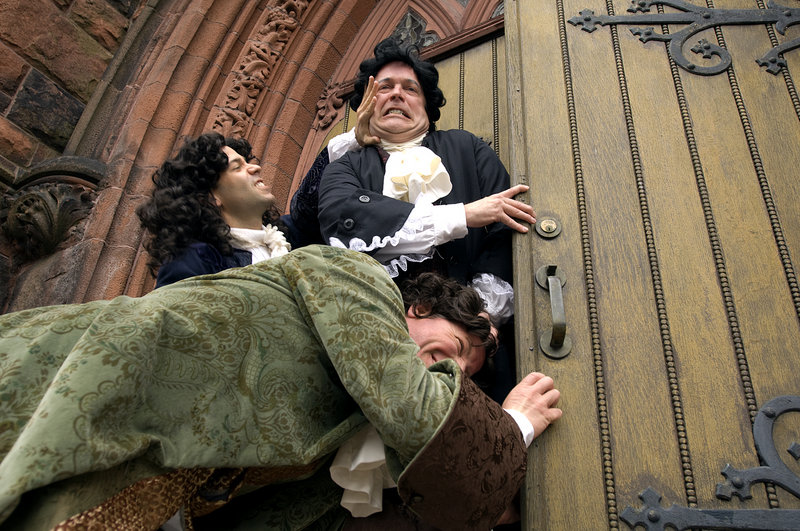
(698, 19)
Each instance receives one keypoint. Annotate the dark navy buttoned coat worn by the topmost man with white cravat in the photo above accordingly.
(352, 205)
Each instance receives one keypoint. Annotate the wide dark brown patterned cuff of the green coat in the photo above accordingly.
(470, 471)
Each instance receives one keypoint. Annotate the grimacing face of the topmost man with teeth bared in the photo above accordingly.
(400, 105)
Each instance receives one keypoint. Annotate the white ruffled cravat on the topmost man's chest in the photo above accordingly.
(414, 172)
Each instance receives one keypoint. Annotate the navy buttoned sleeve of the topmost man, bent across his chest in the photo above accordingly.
(353, 212)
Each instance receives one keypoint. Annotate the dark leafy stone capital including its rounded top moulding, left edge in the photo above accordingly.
(42, 215)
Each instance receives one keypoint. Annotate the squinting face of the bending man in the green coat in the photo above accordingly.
(439, 338)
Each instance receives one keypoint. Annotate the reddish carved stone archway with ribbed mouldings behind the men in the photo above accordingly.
(270, 70)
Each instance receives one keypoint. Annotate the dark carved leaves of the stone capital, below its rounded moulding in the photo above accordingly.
(40, 217)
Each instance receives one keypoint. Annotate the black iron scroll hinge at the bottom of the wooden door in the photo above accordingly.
(738, 482)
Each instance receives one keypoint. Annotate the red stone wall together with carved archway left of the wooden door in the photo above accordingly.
(96, 94)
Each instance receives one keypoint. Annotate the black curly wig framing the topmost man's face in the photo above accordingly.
(390, 50)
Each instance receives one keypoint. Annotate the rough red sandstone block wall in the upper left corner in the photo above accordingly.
(52, 56)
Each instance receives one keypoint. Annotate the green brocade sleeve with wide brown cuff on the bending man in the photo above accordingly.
(462, 457)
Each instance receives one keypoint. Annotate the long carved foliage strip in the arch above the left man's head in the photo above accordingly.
(260, 54)
